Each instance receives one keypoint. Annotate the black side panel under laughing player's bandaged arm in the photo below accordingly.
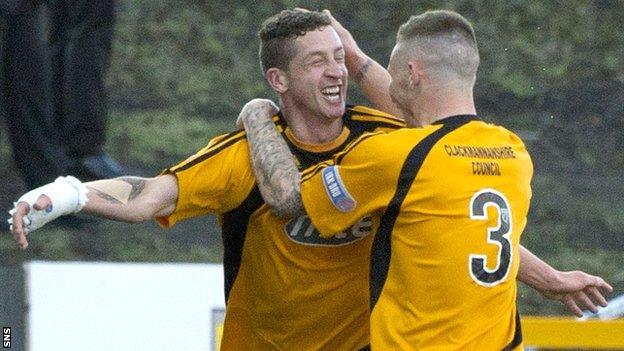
(233, 233)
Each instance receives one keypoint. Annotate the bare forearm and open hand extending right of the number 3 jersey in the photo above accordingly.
(575, 289)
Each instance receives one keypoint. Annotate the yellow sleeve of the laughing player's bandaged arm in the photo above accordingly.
(214, 180)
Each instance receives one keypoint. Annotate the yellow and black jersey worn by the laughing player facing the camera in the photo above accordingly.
(286, 287)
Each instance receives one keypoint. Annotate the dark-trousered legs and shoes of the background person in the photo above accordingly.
(54, 100)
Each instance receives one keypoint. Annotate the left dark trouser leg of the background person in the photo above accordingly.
(25, 94)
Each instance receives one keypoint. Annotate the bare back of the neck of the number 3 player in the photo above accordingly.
(441, 102)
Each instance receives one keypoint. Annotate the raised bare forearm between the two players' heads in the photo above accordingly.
(371, 77)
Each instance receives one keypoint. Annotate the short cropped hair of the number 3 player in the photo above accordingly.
(445, 39)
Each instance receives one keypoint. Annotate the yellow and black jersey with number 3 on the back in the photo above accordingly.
(453, 199)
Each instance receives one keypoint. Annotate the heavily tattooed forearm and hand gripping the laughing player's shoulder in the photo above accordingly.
(275, 169)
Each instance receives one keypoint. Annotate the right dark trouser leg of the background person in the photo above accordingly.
(81, 33)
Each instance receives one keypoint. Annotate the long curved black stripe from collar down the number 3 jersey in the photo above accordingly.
(381, 251)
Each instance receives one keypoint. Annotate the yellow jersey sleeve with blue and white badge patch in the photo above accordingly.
(337, 194)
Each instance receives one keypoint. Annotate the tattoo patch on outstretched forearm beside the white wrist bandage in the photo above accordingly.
(120, 190)
